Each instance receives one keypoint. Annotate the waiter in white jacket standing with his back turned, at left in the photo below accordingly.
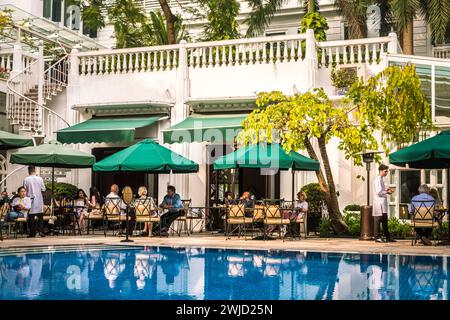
(35, 186)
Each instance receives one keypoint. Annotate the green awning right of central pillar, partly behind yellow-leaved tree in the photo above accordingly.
(214, 128)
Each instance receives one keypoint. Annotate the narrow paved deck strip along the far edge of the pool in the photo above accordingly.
(219, 241)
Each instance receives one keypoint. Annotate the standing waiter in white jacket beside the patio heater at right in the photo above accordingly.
(380, 205)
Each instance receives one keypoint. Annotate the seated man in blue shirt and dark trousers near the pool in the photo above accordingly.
(171, 203)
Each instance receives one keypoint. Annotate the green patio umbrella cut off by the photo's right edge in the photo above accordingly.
(432, 153)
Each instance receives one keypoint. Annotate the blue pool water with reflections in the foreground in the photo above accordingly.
(96, 272)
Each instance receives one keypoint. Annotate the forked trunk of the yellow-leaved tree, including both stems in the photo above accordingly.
(328, 187)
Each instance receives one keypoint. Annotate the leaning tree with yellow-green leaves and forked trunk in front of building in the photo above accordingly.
(391, 103)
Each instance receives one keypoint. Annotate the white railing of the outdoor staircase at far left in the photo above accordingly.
(27, 93)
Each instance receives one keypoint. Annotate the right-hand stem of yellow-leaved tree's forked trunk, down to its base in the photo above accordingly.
(333, 207)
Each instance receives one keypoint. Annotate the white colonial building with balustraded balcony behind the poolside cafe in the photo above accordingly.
(102, 100)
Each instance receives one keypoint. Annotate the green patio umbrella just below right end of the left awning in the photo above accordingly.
(147, 156)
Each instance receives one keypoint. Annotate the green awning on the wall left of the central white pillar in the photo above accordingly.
(105, 129)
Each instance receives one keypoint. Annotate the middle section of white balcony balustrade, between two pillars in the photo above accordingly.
(276, 49)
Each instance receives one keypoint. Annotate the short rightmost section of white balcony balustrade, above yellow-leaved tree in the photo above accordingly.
(370, 50)
